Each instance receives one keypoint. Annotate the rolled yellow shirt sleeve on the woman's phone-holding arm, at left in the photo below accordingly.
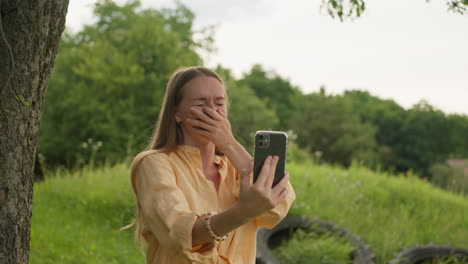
(165, 210)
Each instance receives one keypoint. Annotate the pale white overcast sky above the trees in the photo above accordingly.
(405, 50)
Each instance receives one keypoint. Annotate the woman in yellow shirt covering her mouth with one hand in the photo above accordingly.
(196, 202)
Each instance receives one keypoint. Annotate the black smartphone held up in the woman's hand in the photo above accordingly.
(270, 143)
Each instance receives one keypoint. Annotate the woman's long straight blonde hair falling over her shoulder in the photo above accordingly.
(167, 133)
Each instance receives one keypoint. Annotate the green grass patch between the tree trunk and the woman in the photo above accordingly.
(76, 218)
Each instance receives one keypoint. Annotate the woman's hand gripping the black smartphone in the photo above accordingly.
(259, 197)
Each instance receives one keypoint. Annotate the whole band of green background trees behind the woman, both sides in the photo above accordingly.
(110, 78)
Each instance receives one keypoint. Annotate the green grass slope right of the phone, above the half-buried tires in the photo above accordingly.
(388, 212)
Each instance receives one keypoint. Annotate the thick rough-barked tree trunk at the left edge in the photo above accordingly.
(30, 33)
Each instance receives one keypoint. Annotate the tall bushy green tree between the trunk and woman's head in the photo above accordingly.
(110, 79)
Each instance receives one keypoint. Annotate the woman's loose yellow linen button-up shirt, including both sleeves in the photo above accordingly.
(173, 192)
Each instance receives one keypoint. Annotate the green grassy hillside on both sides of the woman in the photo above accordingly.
(76, 216)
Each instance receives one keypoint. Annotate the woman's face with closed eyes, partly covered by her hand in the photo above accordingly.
(202, 91)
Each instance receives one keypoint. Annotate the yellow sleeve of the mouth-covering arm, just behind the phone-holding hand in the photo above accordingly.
(271, 218)
